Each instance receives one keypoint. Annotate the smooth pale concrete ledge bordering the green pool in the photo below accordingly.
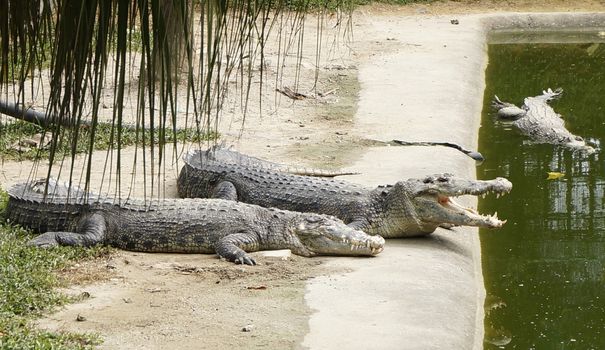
(419, 293)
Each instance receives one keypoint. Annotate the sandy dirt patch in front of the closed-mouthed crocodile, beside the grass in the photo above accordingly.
(159, 301)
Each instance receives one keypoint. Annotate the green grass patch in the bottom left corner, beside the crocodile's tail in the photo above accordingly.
(28, 288)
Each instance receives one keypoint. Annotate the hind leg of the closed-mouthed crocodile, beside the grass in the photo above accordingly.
(91, 231)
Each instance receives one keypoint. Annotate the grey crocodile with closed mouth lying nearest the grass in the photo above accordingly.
(70, 216)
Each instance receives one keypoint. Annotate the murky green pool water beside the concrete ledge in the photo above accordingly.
(545, 269)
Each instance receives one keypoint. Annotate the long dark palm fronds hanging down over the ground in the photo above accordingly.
(168, 62)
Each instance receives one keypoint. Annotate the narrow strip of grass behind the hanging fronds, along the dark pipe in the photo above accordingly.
(12, 133)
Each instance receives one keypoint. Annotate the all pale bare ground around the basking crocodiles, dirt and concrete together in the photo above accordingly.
(409, 73)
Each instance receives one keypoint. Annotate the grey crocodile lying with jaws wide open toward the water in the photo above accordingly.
(408, 208)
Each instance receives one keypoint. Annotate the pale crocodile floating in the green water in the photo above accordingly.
(537, 119)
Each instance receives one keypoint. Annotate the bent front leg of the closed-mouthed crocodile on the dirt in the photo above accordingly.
(233, 247)
